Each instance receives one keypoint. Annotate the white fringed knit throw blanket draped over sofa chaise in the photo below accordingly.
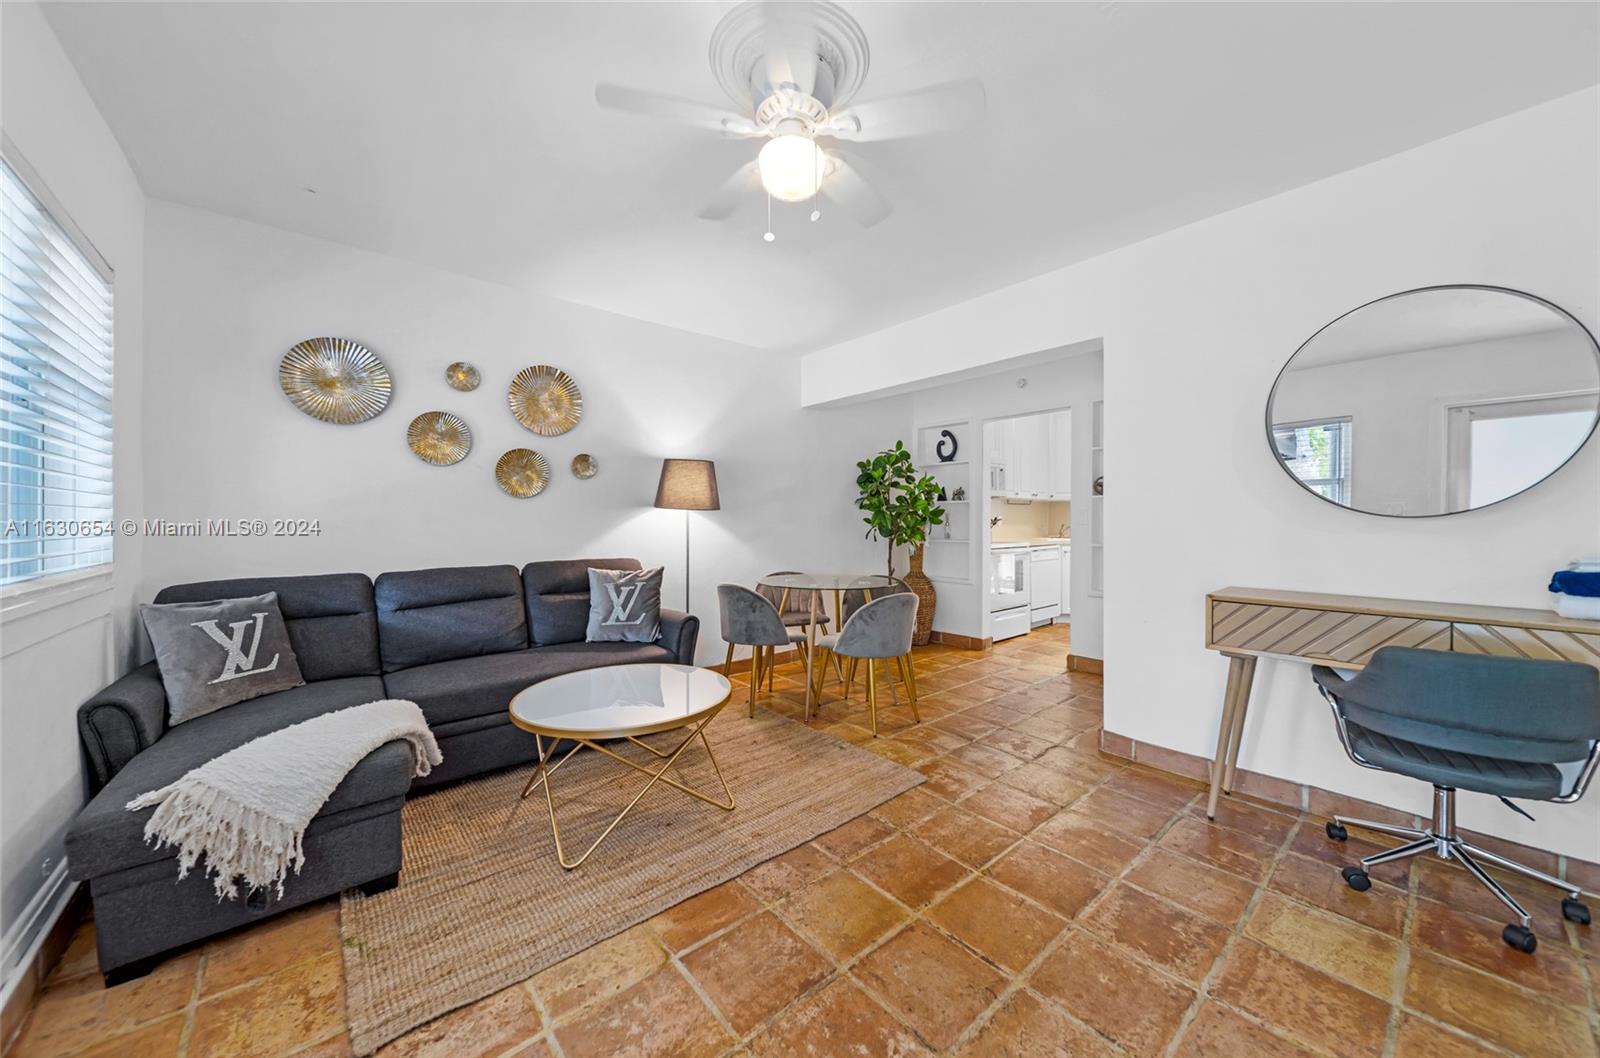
(247, 811)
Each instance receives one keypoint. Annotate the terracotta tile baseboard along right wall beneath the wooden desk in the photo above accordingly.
(1324, 803)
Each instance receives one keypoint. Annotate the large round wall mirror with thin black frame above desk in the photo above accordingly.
(1436, 401)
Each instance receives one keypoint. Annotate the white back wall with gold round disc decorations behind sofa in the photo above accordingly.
(228, 299)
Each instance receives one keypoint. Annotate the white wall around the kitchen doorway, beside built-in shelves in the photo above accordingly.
(1068, 380)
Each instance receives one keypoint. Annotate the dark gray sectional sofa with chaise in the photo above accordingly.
(460, 643)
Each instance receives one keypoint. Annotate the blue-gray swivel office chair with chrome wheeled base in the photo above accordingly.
(1510, 727)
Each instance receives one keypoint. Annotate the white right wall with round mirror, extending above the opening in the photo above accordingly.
(1196, 326)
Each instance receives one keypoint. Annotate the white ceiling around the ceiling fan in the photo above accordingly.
(466, 137)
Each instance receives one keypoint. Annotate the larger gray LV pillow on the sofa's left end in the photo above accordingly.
(218, 654)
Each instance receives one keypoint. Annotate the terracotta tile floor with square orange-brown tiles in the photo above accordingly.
(1031, 899)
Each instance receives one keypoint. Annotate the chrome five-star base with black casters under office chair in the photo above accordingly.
(1447, 844)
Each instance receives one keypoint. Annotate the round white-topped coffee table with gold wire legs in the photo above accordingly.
(623, 702)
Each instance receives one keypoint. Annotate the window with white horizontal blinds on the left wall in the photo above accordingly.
(55, 395)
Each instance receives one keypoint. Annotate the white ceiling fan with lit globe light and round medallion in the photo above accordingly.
(793, 70)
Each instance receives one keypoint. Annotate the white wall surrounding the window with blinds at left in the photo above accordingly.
(54, 657)
